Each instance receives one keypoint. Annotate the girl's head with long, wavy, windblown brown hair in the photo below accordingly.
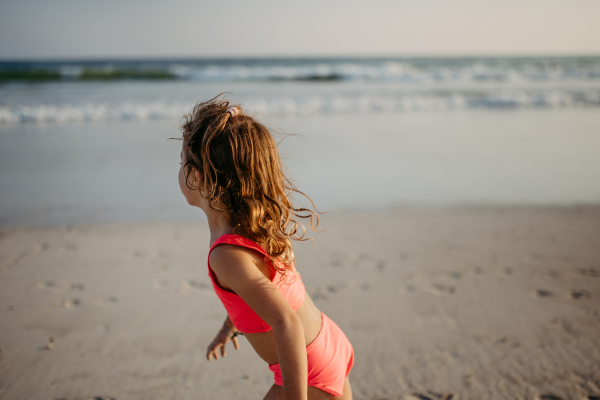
(240, 175)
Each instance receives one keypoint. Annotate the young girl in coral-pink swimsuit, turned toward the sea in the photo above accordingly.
(230, 169)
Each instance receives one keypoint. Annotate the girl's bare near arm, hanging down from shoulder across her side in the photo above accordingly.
(236, 267)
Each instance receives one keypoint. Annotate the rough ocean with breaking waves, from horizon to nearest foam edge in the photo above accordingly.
(159, 89)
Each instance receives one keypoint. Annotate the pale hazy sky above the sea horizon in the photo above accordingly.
(151, 28)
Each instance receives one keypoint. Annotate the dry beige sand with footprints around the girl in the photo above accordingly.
(469, 303)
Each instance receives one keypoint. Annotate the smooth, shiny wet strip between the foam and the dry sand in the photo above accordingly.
(126, 171)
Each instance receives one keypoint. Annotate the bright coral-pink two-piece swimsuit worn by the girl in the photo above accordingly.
(330, 355)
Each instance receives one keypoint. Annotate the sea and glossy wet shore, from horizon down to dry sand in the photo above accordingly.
(86, 142)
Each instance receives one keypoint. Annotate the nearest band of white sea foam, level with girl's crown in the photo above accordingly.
(318, 104)
